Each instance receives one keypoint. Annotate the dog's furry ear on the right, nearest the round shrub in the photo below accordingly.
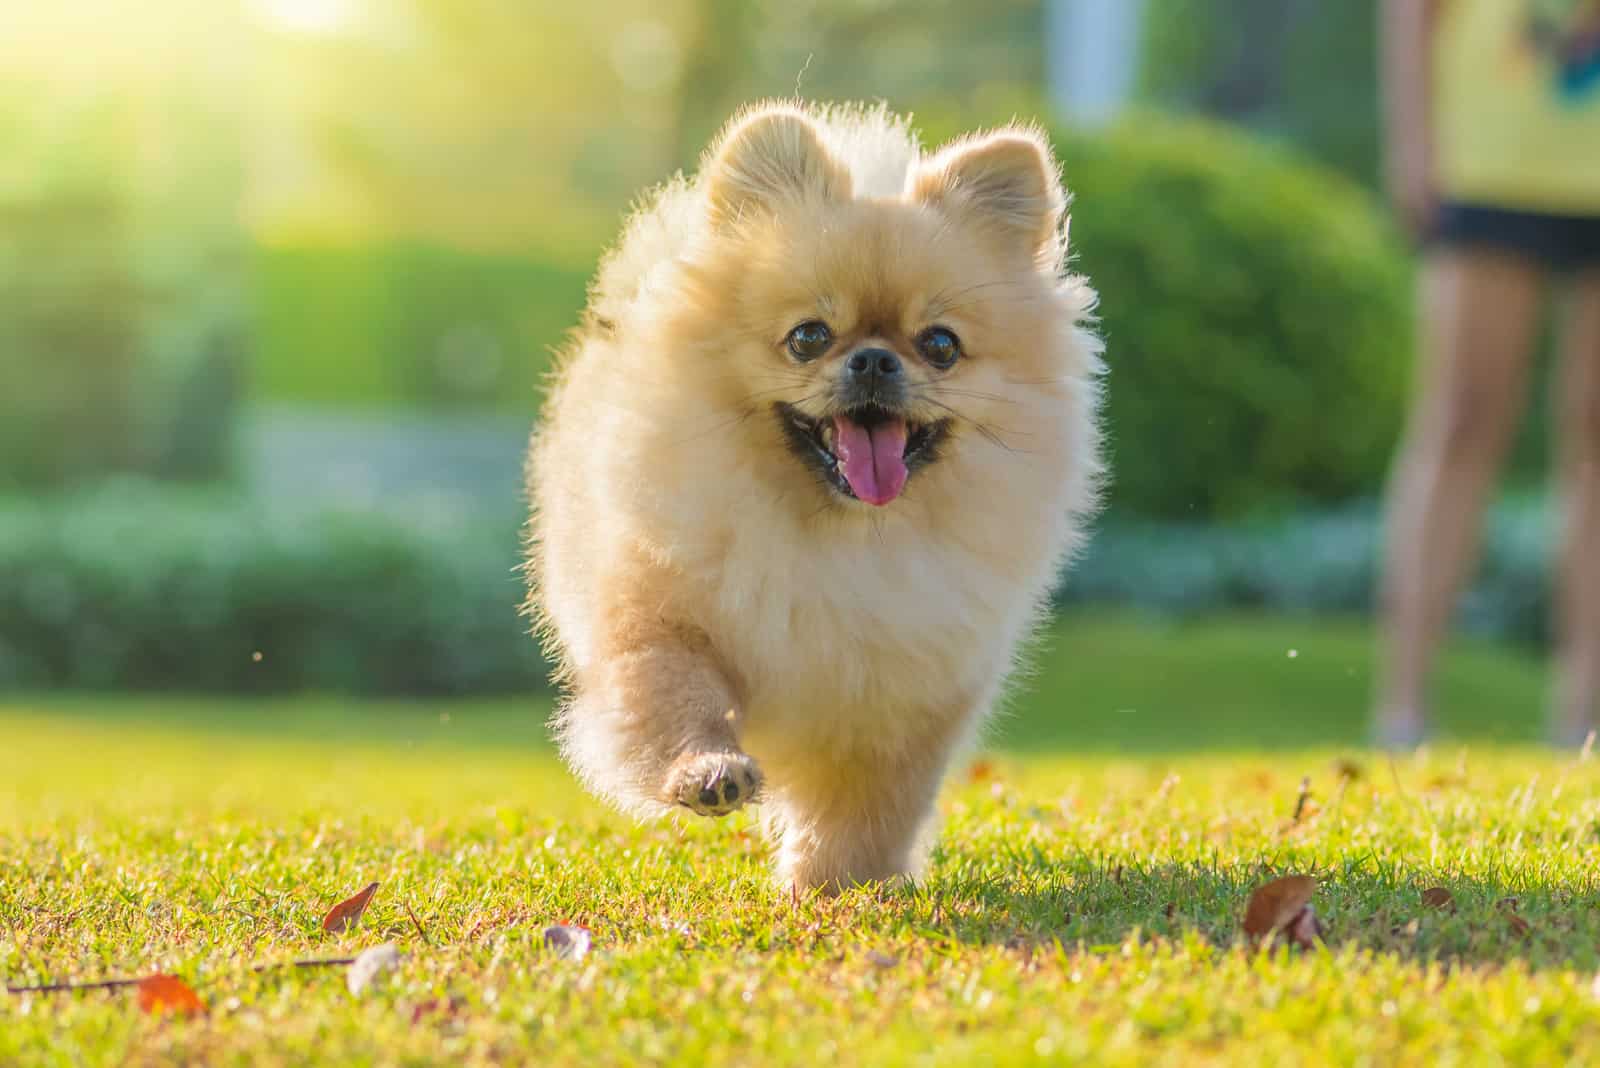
(1007, 180)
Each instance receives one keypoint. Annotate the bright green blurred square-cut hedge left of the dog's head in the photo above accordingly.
(410, 324)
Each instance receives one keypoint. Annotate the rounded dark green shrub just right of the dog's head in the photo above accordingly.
(1257, 321)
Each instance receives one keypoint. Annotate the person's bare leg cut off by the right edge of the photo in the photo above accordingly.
(1578, 461)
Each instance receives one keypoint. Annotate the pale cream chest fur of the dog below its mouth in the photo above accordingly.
(849, 640)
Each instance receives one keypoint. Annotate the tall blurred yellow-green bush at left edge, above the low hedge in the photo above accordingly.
(122, 324)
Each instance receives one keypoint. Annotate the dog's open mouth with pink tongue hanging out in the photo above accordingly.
(863, 453)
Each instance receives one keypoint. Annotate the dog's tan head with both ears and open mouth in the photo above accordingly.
(876, 338)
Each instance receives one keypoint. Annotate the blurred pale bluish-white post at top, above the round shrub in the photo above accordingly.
(1094, 57)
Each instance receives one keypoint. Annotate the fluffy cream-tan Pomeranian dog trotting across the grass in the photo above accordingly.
(807, 474)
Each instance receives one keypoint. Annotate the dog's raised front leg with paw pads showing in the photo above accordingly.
(657, 723)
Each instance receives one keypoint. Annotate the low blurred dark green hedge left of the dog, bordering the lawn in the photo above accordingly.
(140, 588)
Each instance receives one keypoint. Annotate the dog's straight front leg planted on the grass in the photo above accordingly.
(858, 821)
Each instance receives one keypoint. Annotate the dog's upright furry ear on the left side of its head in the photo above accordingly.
(770, 156)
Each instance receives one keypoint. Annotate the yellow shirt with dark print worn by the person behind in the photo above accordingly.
(1518, 105)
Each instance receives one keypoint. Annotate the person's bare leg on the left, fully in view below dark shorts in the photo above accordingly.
(1479, 317)
